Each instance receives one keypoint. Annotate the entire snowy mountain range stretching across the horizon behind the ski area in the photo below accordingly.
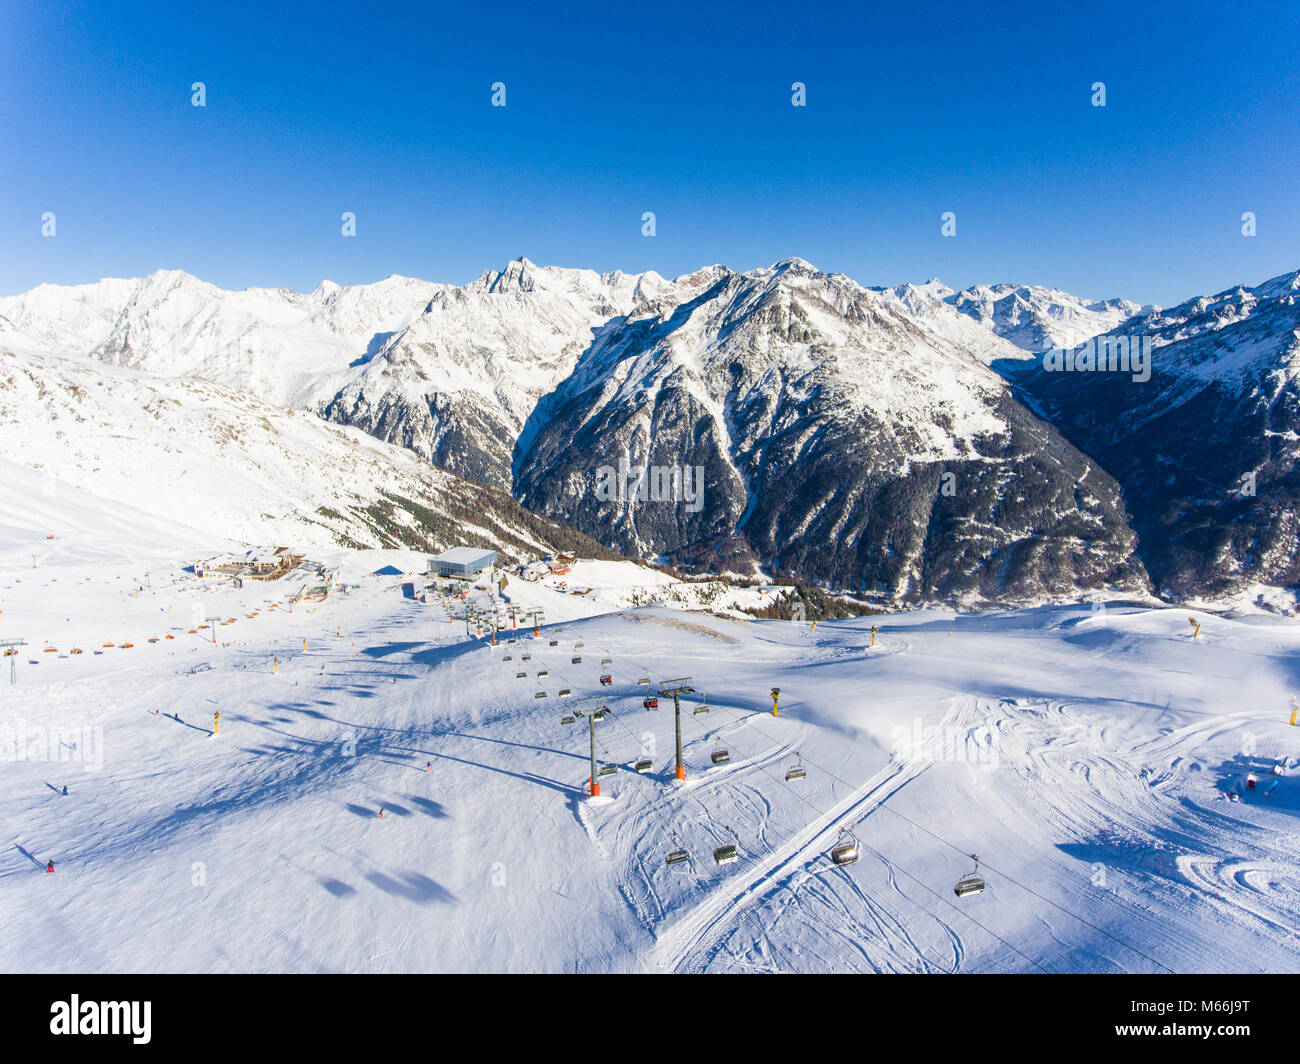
(907, 444)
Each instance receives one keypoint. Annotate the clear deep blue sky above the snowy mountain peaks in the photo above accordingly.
(683, 110)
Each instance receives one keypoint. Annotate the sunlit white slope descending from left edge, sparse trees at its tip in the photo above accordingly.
(231, 468)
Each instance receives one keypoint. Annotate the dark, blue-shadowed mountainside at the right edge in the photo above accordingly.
(1207, 448)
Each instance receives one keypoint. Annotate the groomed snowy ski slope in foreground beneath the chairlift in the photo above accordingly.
(1097, 760)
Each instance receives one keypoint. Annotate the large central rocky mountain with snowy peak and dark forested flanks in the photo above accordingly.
(801, 423)
